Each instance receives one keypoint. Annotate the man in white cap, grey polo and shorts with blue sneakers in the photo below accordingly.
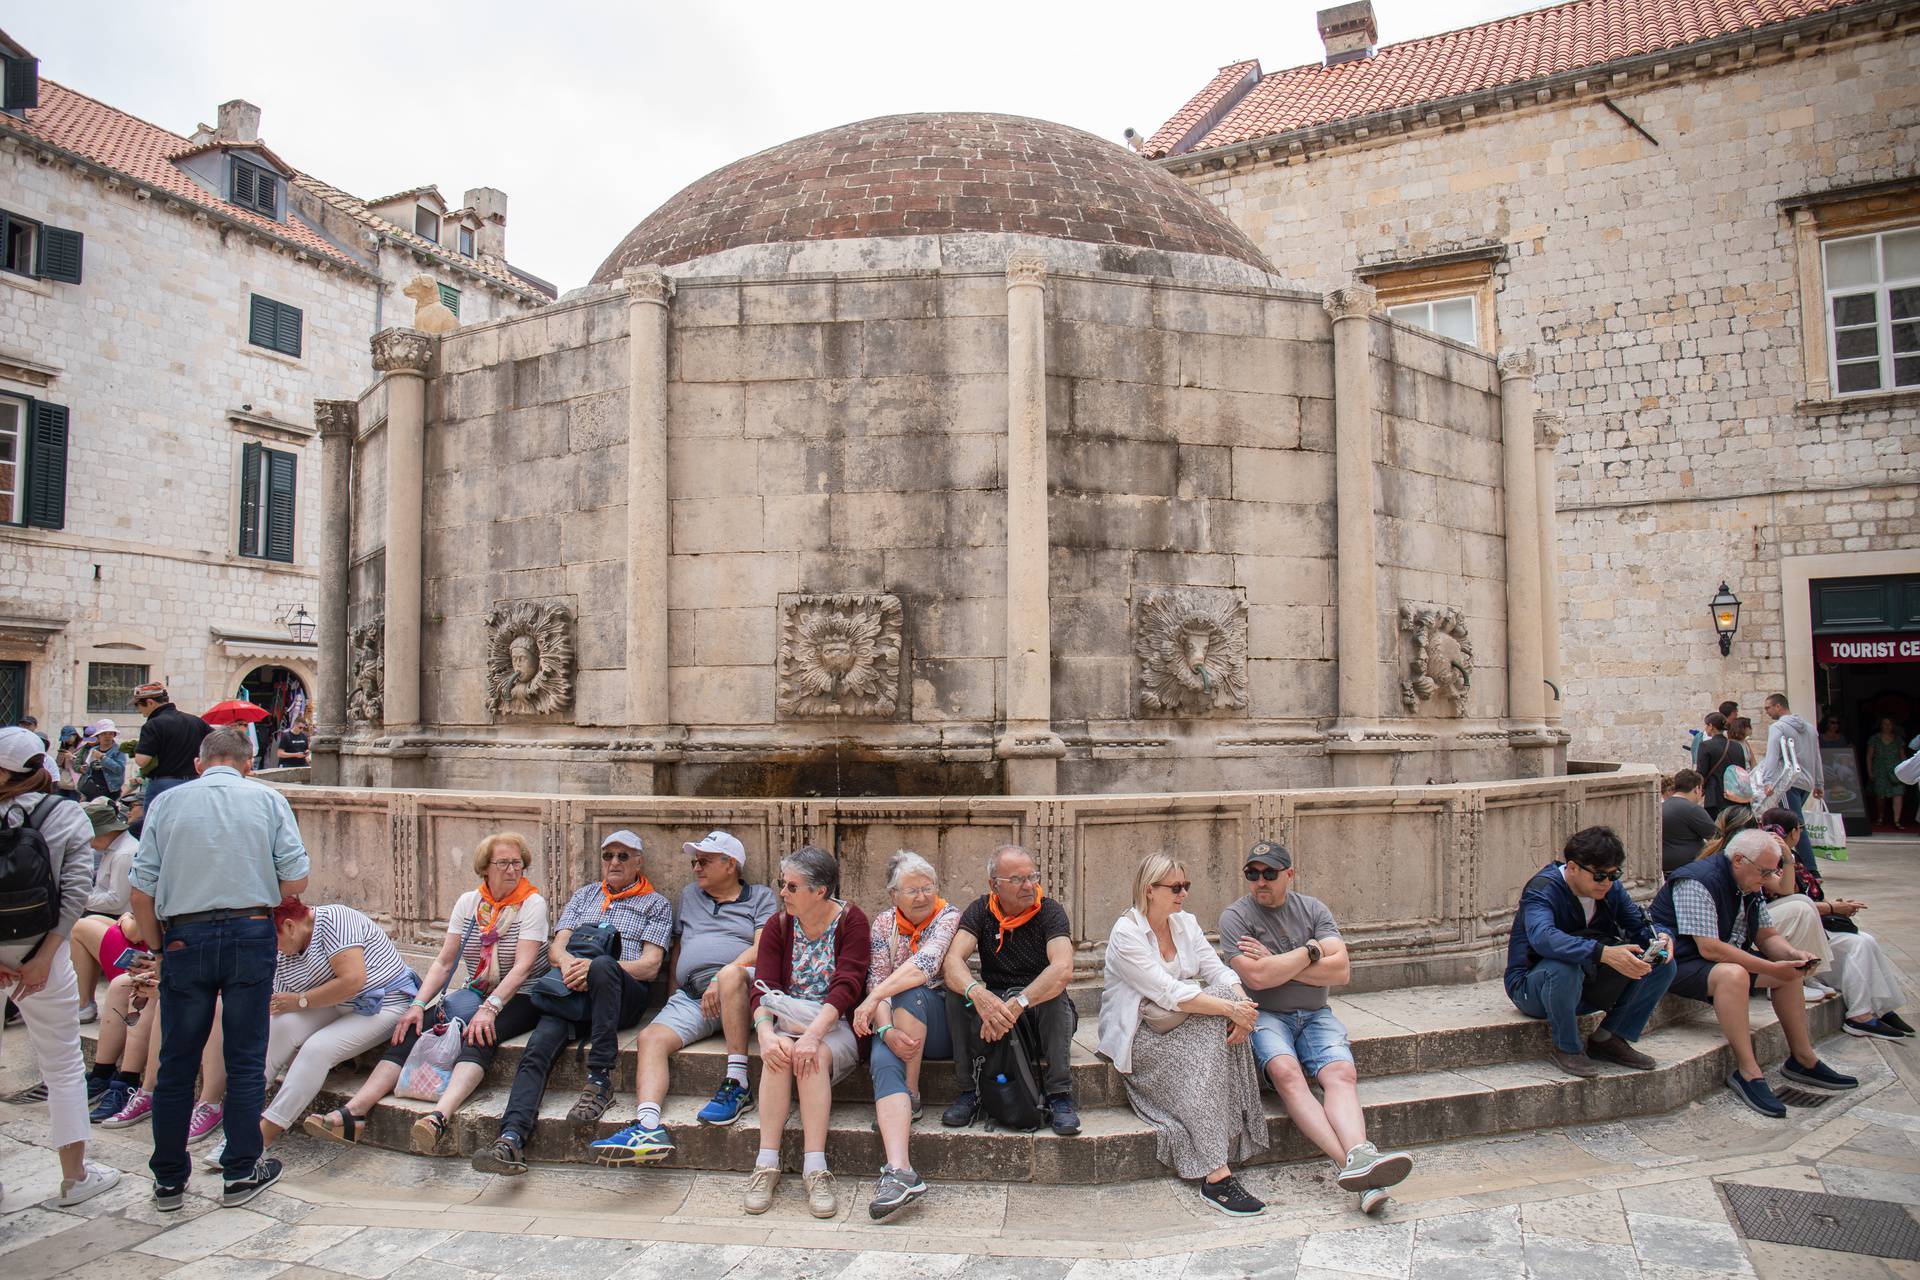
(717, 936)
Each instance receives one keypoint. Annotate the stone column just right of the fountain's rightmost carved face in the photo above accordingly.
(1522, 511)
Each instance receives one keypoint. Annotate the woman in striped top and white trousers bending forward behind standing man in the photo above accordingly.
(339, 989)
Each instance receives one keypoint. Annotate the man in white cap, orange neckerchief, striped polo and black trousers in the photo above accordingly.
(615, 987)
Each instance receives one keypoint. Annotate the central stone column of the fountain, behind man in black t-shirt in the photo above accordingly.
(1030, 746)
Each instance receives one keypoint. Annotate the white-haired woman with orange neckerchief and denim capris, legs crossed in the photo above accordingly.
(907, 1016)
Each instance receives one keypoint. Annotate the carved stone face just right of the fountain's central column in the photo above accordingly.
(1191, 650)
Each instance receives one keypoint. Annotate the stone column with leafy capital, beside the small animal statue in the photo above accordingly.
(404, 356)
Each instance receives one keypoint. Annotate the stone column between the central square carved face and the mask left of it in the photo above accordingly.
(650, 296)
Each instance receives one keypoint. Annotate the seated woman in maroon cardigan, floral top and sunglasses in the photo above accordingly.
(815, 953)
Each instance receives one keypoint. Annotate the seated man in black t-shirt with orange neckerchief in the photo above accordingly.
(1026, 960)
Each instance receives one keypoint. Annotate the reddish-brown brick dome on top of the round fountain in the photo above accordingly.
(934, 176)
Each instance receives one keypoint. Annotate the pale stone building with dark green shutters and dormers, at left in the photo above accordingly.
(158, 486)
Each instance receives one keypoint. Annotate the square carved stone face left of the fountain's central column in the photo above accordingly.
(840, 655)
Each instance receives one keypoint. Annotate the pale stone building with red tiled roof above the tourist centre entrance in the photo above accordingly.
(1654, 224)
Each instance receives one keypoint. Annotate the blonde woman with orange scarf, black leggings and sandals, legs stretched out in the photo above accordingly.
(498, 934)
